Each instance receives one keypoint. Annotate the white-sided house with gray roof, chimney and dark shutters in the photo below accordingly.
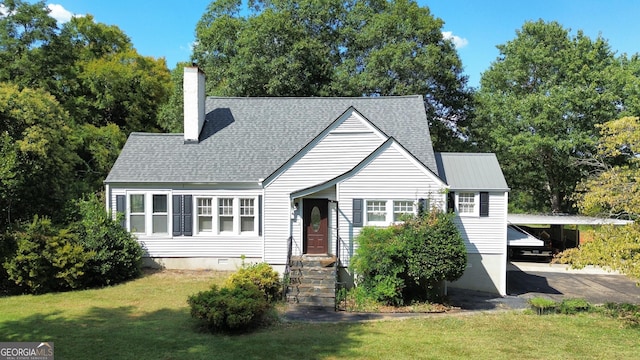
(269, 179)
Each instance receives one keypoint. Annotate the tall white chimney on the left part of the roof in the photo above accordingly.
(194, 98)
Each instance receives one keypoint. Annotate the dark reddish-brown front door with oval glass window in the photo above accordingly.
(316, 226)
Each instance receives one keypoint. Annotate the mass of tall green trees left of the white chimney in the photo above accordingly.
(69, 96)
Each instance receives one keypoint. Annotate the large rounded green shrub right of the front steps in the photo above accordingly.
(410, 261)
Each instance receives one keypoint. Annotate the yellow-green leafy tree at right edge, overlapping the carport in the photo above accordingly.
(613, 191)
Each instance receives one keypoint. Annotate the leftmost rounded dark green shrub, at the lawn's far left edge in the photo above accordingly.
(47, 259)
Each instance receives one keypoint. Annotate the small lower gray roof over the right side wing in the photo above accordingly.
(471, 171)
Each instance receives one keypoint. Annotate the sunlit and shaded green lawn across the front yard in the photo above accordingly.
(149, 319)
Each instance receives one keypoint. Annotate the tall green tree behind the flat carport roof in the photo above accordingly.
(538, 105)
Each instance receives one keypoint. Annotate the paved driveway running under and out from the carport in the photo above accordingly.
(527, 280)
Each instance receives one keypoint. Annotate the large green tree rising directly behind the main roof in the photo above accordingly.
(335, 48)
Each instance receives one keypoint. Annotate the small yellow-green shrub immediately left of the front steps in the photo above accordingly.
(262, 276)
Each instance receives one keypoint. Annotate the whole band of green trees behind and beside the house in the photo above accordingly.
(70, 94)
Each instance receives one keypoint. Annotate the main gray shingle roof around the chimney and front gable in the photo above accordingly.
(246, 139)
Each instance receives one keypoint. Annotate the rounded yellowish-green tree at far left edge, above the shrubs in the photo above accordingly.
(40, 146)
